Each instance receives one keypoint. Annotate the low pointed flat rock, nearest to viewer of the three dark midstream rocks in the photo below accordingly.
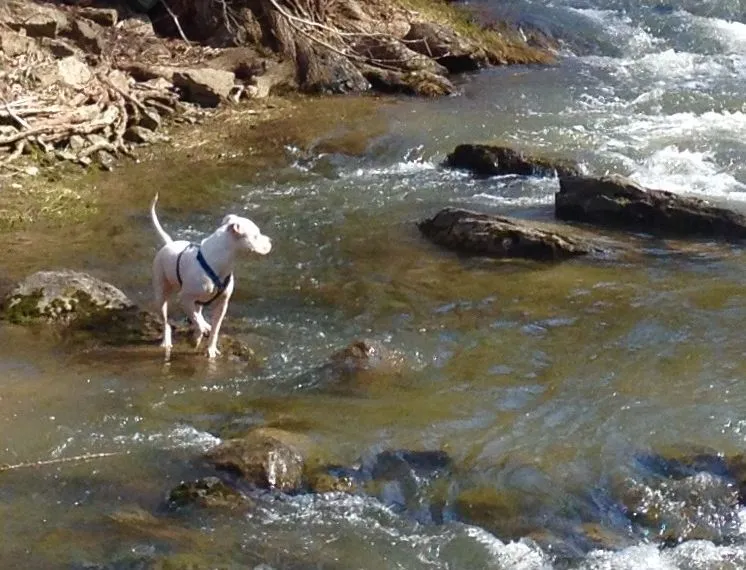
(495, 236)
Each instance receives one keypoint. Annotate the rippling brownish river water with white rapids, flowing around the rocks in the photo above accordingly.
(557, 388)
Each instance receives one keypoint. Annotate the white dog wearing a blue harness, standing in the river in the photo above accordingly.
(202, 272)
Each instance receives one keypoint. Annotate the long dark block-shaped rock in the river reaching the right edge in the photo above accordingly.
(619, 202)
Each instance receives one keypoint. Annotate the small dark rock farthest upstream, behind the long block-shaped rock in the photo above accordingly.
(492, 160)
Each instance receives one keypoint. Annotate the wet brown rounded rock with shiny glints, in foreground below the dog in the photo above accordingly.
(266, 458)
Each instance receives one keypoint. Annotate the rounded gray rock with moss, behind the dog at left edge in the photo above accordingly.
(61, 296)
